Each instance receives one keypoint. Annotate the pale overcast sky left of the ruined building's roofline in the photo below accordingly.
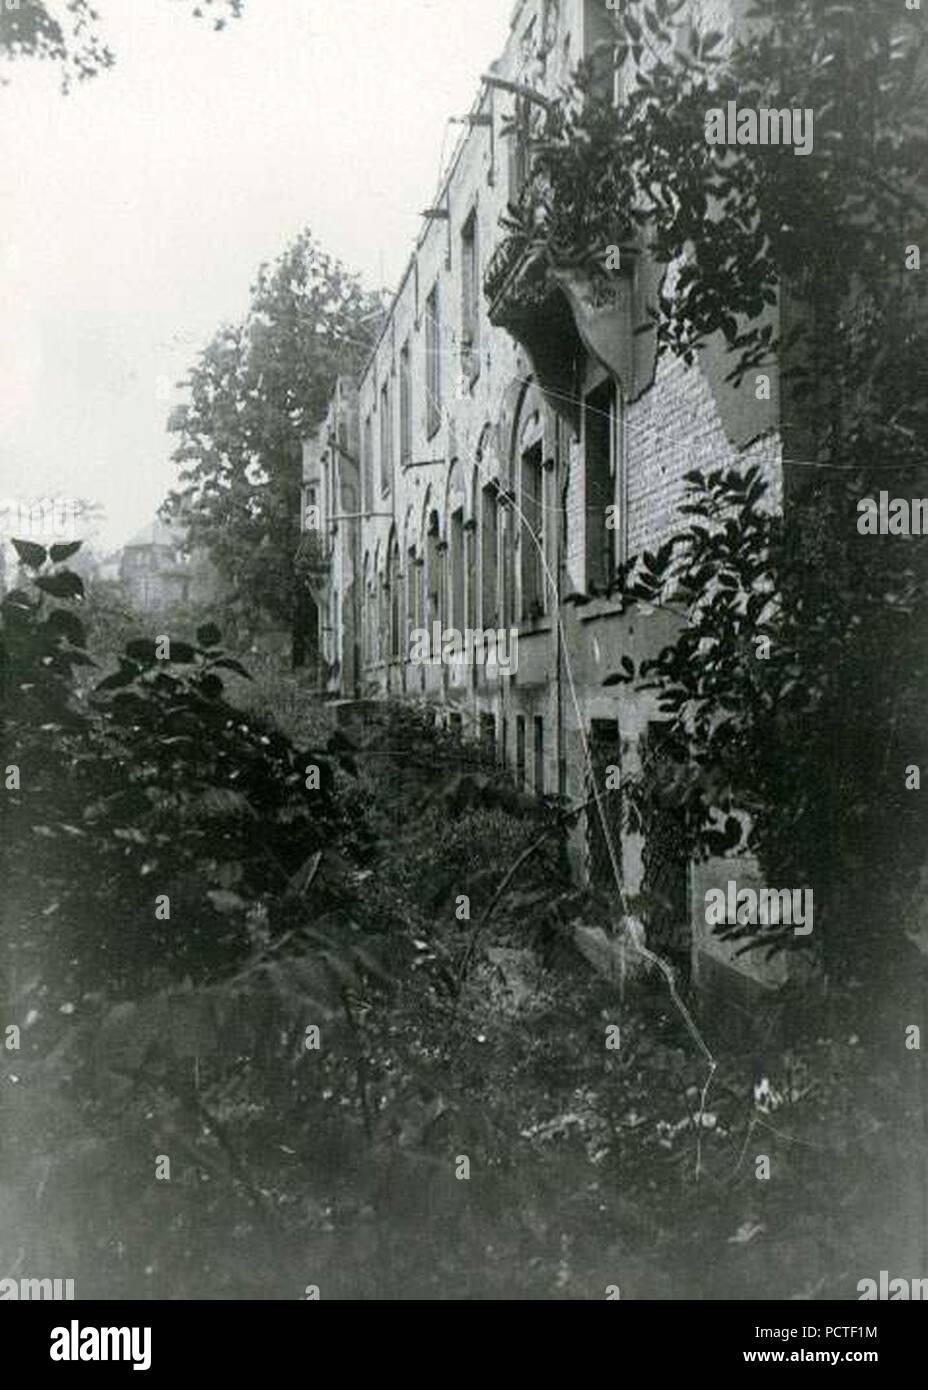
(135, 211)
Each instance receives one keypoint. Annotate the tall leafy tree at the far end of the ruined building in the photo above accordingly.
(256, 393)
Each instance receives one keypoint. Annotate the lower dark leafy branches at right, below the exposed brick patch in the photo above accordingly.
(791, 703)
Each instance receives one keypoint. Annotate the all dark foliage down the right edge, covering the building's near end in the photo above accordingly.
(795, 266)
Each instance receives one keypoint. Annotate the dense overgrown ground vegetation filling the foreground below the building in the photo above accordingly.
(445, 1032)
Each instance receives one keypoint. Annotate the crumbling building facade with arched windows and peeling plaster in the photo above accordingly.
(504, 452)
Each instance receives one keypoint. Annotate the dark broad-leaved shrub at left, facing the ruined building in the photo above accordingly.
(152, 785)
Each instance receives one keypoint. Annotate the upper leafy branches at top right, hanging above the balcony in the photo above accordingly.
(738, 223)
